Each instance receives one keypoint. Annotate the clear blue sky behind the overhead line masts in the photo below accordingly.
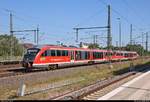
(56, 18)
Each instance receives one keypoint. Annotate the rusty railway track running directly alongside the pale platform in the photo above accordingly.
(94, 91)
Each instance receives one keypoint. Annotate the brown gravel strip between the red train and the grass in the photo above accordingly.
(40, 76)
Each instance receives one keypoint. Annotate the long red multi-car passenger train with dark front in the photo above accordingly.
(51, 57)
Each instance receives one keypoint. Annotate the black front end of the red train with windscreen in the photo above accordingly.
(29, 57)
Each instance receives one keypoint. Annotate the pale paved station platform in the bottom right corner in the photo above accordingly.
(136, 89)
